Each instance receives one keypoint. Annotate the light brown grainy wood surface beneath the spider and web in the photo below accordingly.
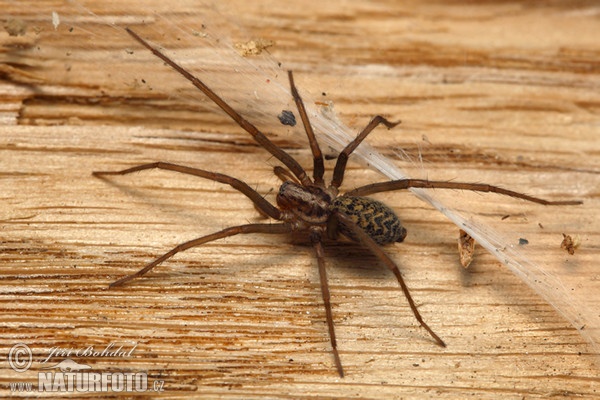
(505, 93)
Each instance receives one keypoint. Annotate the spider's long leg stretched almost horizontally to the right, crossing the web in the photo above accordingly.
(476, 187)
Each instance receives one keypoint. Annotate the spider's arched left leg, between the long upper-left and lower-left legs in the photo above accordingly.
(261, 204)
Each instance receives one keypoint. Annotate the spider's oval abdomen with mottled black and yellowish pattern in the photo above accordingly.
(378, 221)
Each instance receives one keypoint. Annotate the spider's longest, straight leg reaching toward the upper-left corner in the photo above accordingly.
(258, 136)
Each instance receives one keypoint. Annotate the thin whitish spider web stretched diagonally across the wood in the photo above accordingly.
(206, 47)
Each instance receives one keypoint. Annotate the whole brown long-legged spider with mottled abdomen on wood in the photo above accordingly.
(310, 206)
